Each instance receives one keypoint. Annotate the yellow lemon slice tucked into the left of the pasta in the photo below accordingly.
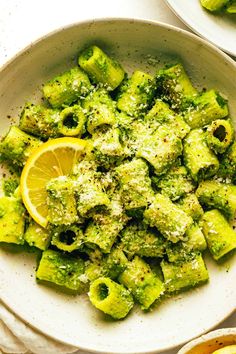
(52, 159)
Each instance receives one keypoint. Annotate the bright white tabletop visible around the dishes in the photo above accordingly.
(23, 21)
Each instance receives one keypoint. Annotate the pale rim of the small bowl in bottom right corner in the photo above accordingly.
(206, 337)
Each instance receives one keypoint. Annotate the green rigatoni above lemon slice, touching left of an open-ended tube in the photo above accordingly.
(40, 121)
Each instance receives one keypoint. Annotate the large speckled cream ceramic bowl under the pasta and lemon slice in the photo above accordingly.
(141, 45)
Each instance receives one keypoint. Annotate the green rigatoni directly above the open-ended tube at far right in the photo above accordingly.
(206, 108)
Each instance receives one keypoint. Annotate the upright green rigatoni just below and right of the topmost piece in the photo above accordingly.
(136, 94)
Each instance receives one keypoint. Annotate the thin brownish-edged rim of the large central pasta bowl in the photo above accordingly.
(214, 49)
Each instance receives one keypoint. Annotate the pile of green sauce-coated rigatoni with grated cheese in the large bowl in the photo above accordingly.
(153, 191)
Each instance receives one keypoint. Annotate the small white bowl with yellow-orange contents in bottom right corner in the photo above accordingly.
(210, 342)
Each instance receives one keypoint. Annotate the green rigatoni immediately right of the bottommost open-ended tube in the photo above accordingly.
(144, 285)
